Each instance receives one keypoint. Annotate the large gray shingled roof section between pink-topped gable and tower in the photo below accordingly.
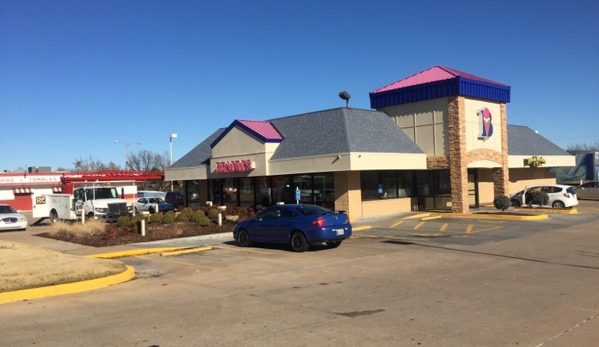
(340, 130)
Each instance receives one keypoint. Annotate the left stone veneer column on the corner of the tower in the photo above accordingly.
(458, 169)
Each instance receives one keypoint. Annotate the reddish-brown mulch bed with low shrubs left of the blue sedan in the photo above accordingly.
(121, 236)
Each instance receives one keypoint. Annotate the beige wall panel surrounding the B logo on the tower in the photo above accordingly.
(473, 128)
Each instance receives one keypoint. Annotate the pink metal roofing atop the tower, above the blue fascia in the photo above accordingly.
(434, 74)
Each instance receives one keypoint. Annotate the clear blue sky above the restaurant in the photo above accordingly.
(76, 75)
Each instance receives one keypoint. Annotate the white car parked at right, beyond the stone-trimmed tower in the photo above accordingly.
(560, 196)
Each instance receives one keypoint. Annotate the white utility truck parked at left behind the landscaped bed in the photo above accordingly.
(103, 203)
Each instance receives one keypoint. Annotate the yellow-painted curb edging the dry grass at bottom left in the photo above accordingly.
(68, 288)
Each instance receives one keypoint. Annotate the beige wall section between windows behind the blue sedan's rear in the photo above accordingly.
(348, 196)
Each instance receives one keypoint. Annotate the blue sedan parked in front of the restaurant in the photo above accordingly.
(297, 225)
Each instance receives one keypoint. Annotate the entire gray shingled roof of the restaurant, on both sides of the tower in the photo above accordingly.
(344, 130)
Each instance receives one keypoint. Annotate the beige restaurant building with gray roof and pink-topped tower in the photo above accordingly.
(438, 139)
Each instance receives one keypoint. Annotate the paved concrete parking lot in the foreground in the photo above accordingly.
(400, 282)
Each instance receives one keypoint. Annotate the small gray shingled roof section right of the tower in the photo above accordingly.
(522, 140)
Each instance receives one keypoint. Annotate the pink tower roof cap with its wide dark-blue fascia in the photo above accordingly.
(435, 82)
